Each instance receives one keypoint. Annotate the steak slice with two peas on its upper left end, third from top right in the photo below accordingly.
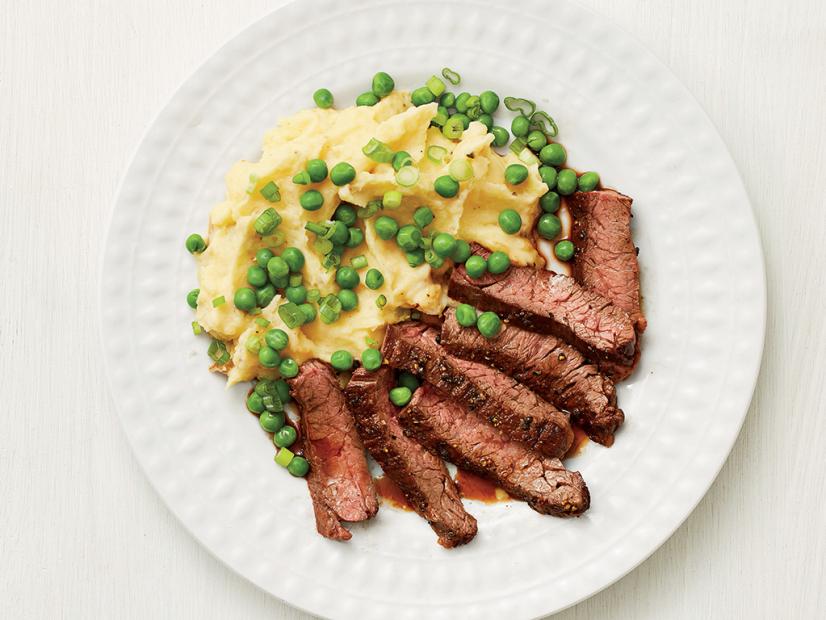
(550, 367)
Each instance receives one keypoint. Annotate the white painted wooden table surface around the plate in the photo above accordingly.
(82, 534)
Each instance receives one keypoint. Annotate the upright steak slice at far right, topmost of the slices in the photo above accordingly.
(606, 259)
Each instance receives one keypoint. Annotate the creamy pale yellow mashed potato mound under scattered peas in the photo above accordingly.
(338, 136)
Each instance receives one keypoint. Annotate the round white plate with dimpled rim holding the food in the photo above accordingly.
(621, 113)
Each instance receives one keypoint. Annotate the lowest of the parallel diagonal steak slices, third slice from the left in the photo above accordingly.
(451, 431)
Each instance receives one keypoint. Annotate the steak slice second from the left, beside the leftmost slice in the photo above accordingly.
(420, 475)
